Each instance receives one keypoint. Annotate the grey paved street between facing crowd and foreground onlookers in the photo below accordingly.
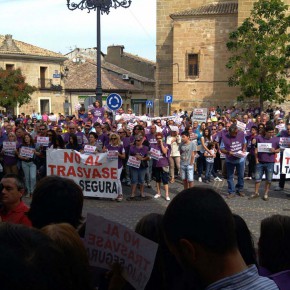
(253, 211)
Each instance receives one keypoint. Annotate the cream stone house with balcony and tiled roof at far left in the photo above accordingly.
(42, 69)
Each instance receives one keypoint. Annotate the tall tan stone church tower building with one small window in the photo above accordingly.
(192, 53)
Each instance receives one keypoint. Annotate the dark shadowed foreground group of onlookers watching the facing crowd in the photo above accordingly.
(201, 243)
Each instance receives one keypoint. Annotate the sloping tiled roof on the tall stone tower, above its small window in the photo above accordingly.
(215, 8)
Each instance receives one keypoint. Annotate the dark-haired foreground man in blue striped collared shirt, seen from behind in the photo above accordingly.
(200, 231)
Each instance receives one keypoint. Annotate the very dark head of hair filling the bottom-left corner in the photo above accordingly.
(31, 260)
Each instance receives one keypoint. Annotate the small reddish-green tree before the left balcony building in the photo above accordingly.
(13, 89)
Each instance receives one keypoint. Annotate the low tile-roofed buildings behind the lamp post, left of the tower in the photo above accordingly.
(128, 75)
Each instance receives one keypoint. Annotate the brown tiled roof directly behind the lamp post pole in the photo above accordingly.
(82, 76)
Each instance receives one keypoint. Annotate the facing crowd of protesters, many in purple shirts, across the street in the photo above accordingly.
(162, 148)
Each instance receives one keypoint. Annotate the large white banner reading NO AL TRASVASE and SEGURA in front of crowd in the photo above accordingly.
(96, 175)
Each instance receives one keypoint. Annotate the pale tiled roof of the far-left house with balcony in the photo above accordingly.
(10, 46)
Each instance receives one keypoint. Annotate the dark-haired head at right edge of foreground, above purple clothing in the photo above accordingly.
(274, 243)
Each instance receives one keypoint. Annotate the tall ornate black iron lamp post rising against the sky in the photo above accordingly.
(101, 6)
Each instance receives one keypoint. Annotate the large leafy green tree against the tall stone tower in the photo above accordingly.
(260, 53)
